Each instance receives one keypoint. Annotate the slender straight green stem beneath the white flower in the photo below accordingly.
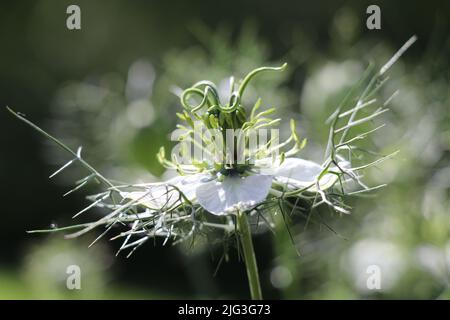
(249, 256)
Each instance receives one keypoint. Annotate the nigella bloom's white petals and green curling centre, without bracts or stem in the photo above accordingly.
(224, 188)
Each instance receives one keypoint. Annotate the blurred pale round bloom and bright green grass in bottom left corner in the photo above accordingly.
(45, 271)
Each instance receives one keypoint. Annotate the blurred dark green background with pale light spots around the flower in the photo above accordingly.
(108, 88)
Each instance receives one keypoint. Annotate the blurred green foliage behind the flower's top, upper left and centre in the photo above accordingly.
(116, 116)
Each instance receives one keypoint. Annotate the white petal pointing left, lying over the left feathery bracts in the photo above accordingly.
(157, 196)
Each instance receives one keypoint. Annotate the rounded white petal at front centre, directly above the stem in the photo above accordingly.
(233, 193)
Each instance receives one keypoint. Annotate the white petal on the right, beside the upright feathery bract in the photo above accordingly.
(301, 173)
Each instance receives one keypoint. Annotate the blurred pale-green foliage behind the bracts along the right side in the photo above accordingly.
(403, 229)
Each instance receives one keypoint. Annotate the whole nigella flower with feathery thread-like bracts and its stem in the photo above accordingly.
(218, 192)
